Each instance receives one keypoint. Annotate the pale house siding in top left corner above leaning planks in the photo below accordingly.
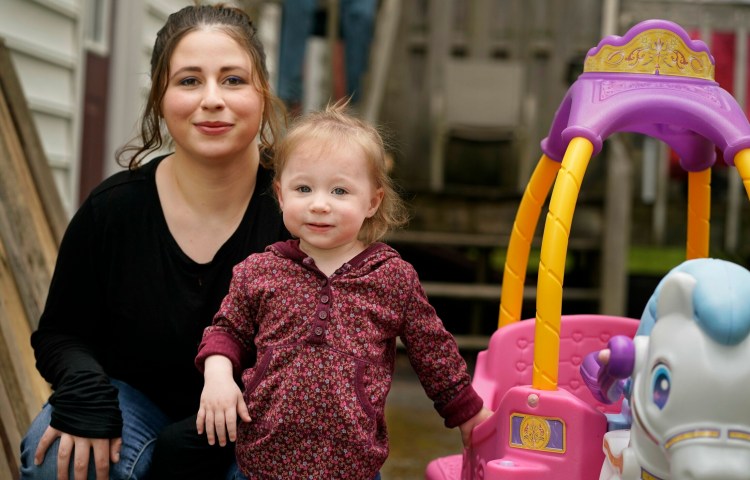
(45, 40)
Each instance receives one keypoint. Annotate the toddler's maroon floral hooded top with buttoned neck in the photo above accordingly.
(325, 358)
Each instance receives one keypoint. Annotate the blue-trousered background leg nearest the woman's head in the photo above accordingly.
(296, 25)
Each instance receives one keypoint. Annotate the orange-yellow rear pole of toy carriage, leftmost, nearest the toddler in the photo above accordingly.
(524, 225)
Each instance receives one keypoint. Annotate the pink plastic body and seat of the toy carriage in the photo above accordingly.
(503, 377)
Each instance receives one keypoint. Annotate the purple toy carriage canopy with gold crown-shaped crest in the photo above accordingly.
(678, 103)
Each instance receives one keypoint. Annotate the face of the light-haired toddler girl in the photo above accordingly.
(326, 194)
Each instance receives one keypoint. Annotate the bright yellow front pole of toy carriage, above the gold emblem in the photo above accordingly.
(552, 263)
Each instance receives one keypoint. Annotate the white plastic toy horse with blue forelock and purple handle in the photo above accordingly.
(689, 385)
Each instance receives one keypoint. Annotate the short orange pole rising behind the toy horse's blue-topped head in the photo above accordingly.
(699, 214)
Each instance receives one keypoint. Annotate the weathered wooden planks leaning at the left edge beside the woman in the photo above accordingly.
(31, 226)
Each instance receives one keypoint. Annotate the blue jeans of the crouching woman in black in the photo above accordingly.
(142, 423)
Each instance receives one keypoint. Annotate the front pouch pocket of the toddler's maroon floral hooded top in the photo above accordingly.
(311, 391)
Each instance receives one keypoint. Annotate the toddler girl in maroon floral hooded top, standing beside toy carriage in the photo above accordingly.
(323, 312)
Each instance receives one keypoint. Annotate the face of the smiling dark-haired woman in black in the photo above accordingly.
(211, 106)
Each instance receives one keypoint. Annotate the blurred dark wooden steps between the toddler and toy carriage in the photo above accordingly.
(457, 245)
